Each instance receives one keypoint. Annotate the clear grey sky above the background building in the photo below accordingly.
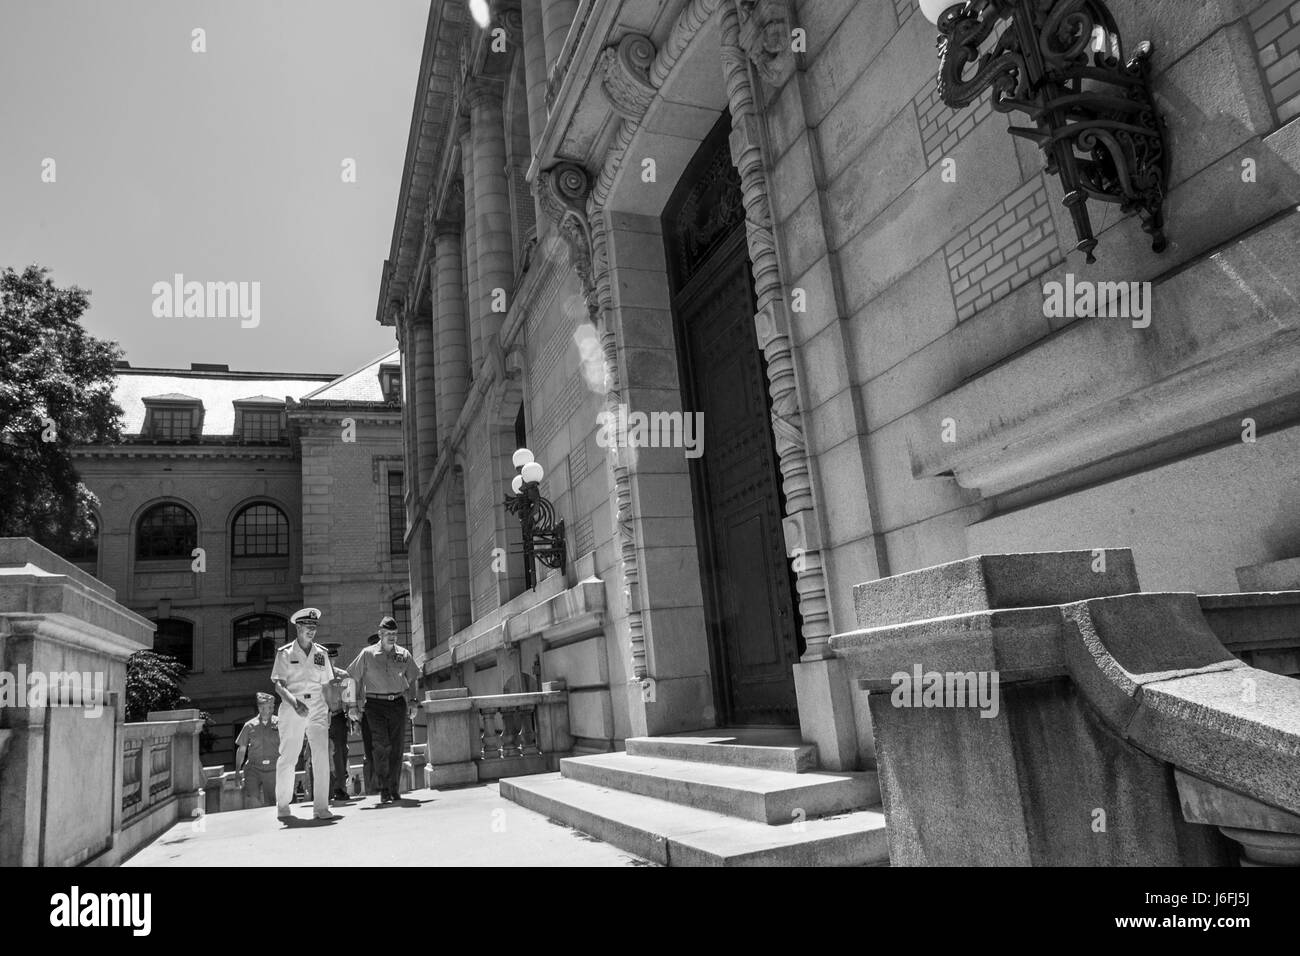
(224, 166)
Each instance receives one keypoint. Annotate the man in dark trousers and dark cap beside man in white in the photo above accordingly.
(387, 685)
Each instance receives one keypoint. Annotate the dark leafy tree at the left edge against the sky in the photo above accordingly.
(57, 392)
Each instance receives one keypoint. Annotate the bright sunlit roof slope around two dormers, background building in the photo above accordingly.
(218, 391)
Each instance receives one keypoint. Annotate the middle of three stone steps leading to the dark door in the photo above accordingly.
(768, 797)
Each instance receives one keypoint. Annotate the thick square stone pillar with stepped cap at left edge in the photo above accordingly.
(62, 756)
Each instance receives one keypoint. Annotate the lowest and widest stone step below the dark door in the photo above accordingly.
(675, 836)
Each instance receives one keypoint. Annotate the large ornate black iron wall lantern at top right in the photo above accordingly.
(1063, 64)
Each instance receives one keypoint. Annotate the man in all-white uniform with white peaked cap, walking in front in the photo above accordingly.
(301, 673)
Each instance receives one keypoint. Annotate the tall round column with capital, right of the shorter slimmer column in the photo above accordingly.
(493, 250)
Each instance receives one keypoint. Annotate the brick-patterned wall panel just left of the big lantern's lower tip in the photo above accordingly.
(1003, 250)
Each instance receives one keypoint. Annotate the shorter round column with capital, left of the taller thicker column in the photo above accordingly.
(449, 326)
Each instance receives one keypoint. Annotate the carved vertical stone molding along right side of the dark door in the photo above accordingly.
(772, 327)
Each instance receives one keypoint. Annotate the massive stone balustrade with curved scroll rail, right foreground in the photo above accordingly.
(1039, 710)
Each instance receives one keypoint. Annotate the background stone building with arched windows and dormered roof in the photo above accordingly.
(254, 469)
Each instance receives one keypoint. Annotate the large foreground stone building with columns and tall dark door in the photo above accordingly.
(762, 213)
